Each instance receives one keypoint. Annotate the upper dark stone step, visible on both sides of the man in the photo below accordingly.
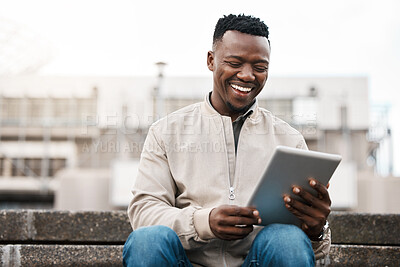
(112, 227)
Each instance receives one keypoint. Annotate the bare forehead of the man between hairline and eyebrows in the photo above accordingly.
(242, 44)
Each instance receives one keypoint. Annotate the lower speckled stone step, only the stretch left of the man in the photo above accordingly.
(60, 255)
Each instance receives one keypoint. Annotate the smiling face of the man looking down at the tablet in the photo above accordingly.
(239, 64)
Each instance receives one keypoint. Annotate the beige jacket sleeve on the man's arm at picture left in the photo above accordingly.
(154, 191)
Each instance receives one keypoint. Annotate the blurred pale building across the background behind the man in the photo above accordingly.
(79, 129)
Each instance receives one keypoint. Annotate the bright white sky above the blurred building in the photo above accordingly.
(122, 37)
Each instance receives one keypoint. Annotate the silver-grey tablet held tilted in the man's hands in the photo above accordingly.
(287, 167)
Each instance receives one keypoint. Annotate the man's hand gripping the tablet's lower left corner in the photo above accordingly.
(232, 222)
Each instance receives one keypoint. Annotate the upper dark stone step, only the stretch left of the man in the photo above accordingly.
(64, 226)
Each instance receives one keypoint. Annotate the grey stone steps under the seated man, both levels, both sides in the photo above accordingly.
(63, 238)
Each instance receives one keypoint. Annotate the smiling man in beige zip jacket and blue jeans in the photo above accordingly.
(200, 165)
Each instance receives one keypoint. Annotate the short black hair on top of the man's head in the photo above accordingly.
(242, 23)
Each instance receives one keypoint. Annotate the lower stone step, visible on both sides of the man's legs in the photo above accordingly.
(111, 255)
